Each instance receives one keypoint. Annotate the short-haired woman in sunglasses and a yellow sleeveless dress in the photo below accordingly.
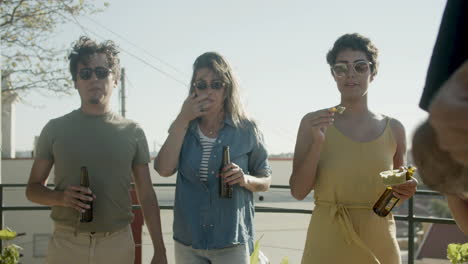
(339, 156)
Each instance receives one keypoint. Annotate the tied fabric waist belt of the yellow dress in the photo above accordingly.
(340, 213)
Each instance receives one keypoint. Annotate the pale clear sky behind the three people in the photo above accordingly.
(277, 49)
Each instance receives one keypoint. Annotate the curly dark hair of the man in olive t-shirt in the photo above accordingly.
(85, 47)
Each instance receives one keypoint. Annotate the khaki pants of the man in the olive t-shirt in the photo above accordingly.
(91, 248)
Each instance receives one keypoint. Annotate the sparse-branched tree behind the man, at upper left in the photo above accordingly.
(30, 62)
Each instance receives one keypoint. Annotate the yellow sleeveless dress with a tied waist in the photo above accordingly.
(343, 228)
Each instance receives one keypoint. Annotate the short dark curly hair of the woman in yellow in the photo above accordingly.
(357, 42)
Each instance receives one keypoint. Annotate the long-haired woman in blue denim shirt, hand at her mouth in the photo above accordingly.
(207, 228)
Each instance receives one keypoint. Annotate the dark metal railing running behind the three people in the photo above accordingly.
(410, 218)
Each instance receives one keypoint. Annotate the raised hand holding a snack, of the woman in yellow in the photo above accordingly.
(316, 123)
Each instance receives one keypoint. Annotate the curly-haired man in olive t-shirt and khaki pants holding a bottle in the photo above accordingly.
(112, 148)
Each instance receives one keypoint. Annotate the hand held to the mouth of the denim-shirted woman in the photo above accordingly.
(195, 106)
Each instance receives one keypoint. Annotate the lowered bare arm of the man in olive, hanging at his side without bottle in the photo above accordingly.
(150, 208)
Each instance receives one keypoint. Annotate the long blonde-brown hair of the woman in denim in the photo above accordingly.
(232, 103)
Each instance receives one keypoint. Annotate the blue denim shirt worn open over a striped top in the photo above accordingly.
(202, 219)
